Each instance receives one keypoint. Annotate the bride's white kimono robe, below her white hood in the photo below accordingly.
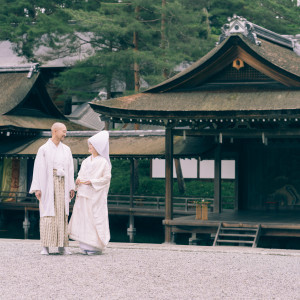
(89, 222)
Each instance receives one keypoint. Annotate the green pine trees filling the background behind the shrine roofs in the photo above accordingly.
(131, 39)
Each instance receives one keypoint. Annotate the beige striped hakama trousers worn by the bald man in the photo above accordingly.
(54, 230)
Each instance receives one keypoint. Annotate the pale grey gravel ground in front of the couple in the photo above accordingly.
(147, 271)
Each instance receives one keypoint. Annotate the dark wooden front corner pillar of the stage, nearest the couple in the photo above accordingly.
(169, 183)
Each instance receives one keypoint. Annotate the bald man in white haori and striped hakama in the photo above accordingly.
(53, 185)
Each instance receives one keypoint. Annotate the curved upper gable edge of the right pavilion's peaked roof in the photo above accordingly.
(235, 46)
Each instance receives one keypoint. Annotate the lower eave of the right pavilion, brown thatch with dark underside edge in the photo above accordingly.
(202, 104)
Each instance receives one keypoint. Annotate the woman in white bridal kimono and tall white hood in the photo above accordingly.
(89, 222)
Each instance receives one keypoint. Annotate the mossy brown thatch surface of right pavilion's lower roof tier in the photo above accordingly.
(205, 101)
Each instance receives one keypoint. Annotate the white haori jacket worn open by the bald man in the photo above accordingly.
(43, 177)
